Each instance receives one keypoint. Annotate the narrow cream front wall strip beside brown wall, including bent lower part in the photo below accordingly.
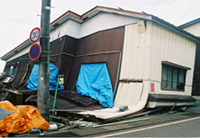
(133, 86)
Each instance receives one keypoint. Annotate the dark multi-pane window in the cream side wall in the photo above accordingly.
(173, 78)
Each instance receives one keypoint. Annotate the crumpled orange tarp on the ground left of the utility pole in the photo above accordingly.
(24, 118)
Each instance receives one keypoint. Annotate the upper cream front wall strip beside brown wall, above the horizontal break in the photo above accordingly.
(136, 53)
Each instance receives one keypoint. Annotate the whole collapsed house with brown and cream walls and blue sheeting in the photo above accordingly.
(134, 60)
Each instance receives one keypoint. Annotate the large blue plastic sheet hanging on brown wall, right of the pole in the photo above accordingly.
(94, 81)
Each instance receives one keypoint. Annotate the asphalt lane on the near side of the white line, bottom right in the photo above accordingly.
(183, 128)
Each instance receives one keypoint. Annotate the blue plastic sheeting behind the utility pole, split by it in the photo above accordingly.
(33, 79)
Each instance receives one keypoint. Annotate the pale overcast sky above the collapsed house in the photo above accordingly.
(19, 17)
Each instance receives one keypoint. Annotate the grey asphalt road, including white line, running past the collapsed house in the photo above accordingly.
(170, 124)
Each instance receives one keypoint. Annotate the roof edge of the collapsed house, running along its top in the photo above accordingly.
(69, 15)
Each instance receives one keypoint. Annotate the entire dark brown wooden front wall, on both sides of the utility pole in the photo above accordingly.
(68, 54)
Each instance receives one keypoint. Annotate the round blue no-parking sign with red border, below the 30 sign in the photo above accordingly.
(34, 51)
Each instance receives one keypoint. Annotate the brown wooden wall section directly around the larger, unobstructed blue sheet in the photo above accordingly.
(102, 47)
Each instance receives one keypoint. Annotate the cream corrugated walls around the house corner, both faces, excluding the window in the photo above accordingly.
(146, 45)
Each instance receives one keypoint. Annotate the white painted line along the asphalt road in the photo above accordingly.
(141, 129)
